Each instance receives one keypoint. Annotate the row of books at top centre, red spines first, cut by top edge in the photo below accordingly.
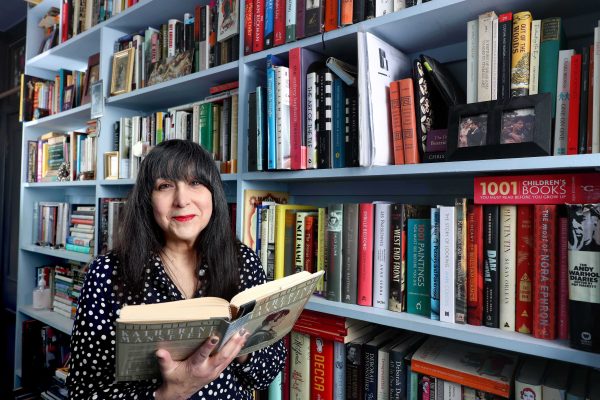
(273, 23)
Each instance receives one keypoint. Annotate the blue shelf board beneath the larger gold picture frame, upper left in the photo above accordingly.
(175, 92)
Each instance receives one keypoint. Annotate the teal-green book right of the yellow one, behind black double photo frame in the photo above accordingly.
(551, 41)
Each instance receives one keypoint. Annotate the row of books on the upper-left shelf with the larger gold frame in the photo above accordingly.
(207, 38)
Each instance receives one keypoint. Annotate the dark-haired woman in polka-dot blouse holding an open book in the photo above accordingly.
(175, 242)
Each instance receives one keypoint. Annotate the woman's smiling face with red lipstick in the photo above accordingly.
(181, 209)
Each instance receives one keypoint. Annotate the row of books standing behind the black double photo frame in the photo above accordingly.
(513, 55)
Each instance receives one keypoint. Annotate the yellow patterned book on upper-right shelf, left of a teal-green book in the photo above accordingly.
(521, 53)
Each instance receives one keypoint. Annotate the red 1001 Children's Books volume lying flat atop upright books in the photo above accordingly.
(538, 189)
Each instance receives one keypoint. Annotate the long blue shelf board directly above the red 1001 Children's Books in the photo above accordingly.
(478, 167)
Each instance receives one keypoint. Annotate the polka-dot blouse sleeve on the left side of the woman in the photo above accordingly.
(92, 367)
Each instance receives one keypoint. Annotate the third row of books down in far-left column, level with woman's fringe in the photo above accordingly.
(58, 156)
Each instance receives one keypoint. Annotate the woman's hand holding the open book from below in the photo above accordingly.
(181, 379)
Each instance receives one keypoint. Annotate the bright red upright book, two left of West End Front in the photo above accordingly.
(365, 254)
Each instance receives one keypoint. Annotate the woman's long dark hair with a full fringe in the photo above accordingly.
(139, 237)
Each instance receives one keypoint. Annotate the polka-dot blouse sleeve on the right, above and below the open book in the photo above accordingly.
(263, 365)
